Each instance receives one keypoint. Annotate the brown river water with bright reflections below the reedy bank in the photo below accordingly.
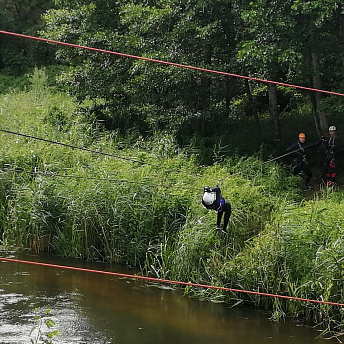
(93, 308)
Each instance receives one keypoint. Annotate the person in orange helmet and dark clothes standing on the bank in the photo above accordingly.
(300, 163)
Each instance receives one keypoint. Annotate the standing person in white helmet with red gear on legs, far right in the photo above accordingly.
(331, 148)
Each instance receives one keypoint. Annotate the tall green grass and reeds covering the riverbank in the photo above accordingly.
(151, 215)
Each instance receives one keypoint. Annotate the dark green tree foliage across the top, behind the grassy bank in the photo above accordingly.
(290, 41)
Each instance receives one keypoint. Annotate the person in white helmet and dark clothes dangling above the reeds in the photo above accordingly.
(212, 199)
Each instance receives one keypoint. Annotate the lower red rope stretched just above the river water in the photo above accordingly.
(158, 280)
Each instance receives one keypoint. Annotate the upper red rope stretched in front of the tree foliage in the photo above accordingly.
(170, 63)
